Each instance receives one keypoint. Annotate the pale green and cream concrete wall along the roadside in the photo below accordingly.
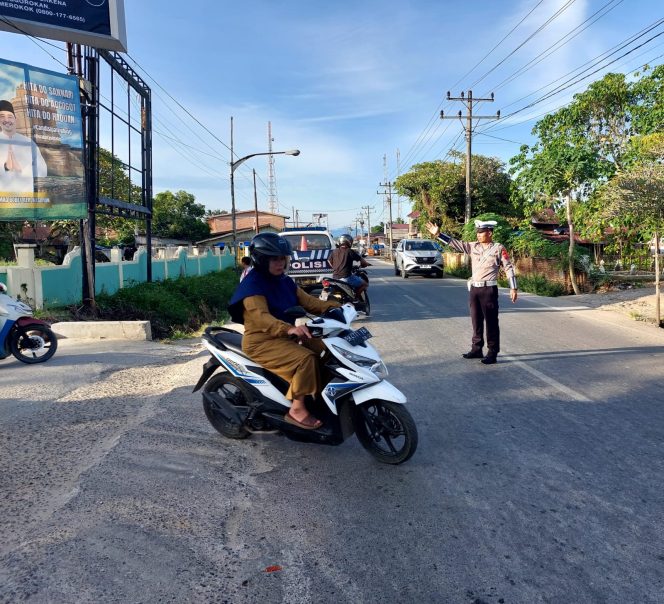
(52, 286)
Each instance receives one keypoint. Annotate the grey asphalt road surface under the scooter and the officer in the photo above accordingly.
(538, 479)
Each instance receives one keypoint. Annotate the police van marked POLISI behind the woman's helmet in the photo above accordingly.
(312, 247)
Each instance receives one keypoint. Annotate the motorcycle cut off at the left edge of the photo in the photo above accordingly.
(29, 339)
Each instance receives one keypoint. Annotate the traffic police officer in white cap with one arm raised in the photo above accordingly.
(486, 259)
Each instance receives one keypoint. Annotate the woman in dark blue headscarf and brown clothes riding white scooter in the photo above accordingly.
(270, 336)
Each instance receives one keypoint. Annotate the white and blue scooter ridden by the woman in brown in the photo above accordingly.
(246, 398)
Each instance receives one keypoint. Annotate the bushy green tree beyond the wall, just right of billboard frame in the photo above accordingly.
(178, 216)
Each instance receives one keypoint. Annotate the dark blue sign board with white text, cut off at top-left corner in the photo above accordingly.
(98, 23)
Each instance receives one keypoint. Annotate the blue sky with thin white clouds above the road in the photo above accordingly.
(349, 83)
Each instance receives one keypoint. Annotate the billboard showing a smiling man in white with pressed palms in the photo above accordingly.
(42, 176)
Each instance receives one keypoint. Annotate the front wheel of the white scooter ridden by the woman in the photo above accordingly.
(386, 430)
